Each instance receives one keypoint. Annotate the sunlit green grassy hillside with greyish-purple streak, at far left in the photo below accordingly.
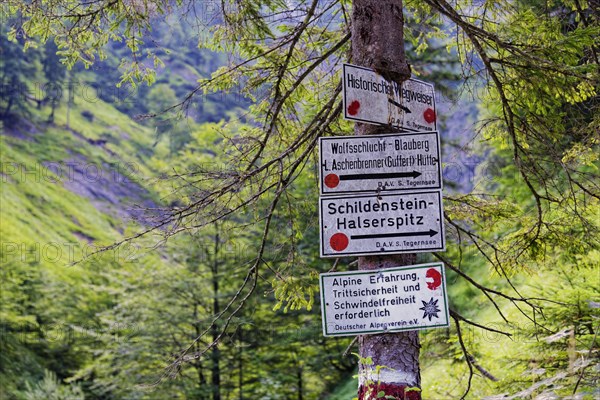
(42, 208)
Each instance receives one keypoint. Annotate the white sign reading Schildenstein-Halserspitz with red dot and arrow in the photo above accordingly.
(386, 223)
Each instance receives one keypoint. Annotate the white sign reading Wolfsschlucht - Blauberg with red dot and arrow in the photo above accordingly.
(353, 164)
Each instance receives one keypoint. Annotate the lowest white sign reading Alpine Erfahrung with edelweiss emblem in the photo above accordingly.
(382, 301)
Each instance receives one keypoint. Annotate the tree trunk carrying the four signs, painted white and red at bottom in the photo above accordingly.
(378, 43)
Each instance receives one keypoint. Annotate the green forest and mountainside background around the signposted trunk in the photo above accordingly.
(96, 154)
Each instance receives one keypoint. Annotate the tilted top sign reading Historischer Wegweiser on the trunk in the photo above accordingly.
(368, 97)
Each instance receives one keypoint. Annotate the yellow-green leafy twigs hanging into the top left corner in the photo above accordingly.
(82, 31)
